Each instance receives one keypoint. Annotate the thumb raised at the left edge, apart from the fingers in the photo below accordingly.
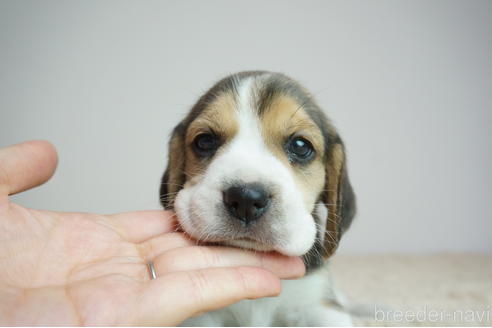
(26, 165)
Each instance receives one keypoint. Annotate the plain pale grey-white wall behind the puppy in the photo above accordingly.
(408, 83)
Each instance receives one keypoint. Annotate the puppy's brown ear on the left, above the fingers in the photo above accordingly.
(174, 177)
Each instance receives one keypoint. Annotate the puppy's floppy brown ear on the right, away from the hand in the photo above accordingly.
(338, 197)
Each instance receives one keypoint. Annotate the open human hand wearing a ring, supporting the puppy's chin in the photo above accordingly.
(88, 269)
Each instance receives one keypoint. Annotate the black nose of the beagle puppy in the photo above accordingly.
(246, 203)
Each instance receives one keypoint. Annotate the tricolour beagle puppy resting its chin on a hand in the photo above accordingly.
(256, 164)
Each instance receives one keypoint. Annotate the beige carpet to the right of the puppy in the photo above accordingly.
(408, 290)
